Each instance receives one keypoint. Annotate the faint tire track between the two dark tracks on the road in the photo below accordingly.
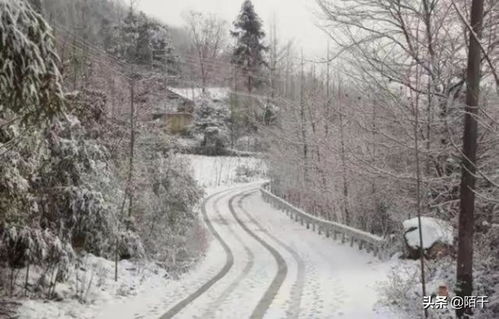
(215, 304)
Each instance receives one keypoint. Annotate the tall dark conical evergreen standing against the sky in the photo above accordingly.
(248, 54)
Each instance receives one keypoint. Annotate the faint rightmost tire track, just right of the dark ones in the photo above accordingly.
(297, 290)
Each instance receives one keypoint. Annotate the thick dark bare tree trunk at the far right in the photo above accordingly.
(467, 196)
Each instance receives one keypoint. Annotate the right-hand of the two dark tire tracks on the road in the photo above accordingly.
(279, 278)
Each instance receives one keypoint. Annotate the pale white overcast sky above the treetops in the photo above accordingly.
(295, 18)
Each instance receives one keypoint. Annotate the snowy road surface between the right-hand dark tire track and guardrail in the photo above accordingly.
(334, 280)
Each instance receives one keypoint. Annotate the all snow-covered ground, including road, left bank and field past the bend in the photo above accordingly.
(258, 264)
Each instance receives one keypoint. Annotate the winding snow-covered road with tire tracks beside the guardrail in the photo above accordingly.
(271, 267)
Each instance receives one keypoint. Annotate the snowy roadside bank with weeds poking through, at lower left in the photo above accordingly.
(91, 287)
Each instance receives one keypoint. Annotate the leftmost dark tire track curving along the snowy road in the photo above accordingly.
(229, 262)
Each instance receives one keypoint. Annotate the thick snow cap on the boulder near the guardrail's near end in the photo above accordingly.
(434, 230)
